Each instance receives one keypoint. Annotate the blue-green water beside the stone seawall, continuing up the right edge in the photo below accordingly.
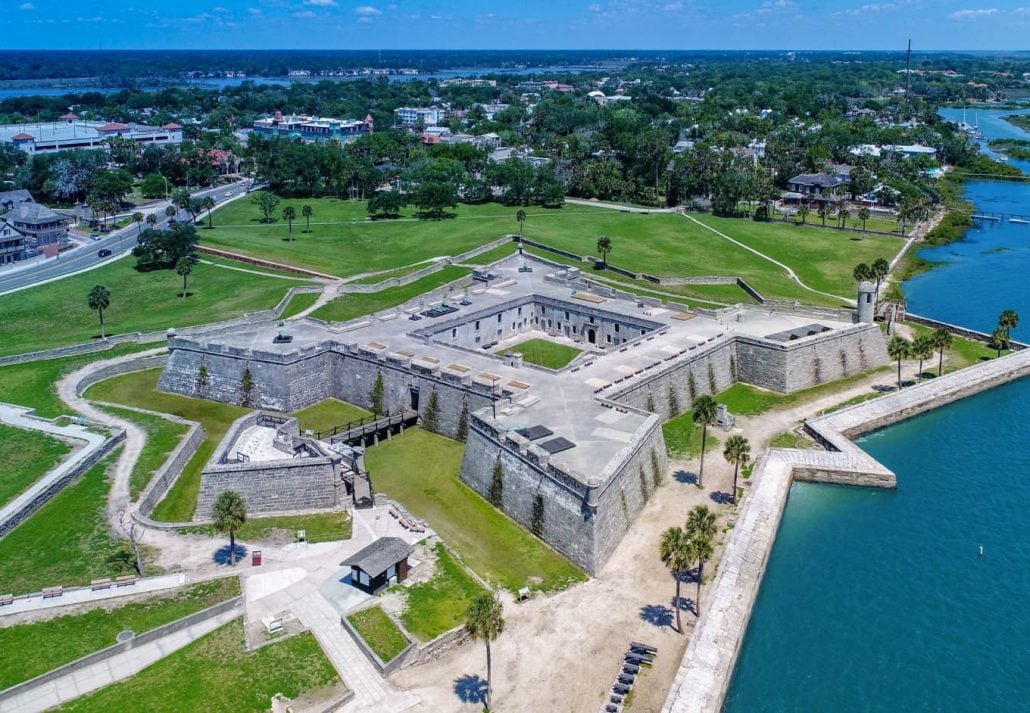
(880, 601)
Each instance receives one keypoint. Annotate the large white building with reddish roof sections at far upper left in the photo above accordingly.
(73, 132)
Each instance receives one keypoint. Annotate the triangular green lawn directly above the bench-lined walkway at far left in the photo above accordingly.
(67, 541)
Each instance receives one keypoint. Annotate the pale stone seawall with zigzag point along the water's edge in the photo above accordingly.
(706, 671)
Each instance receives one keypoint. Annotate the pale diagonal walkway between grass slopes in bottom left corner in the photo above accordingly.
(115, 669)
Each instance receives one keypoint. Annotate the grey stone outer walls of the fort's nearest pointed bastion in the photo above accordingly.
(583, 520)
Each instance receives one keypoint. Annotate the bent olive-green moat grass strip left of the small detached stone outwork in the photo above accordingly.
(139, 389)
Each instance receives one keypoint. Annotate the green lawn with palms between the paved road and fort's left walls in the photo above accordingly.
(57, 314)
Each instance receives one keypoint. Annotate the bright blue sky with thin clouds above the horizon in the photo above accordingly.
(990, 25)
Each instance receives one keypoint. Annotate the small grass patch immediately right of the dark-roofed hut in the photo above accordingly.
(440, 604)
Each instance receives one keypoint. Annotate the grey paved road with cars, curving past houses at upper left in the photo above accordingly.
(119, 242)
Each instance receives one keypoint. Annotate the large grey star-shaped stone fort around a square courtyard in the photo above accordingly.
(579, 450)
